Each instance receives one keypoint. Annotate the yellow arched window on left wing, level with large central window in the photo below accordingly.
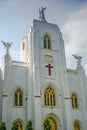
(18, 97)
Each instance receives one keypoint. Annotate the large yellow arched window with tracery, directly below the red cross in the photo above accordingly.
(49, 97)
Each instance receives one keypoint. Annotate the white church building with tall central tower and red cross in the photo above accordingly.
(40, 87)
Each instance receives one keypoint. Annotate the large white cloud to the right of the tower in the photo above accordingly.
(75, 36)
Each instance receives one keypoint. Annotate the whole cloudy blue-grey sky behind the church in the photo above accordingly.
(70, 15)
